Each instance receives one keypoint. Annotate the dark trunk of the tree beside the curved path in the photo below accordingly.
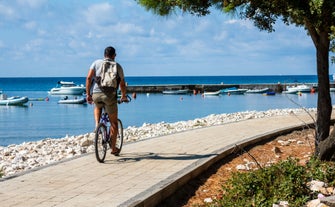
(324, 105)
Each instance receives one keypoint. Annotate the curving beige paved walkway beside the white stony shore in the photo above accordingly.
(144, 173)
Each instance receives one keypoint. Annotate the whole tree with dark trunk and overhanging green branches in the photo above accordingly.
(316, 16)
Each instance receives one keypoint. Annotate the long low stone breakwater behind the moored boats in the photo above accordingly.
(200, 88)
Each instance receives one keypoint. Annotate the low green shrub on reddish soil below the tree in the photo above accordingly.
(284, 181)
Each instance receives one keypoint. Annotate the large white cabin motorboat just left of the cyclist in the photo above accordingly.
(68, 88)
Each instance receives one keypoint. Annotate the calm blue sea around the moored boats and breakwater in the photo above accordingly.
(38, 120)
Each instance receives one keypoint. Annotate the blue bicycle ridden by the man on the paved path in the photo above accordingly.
(102, 135)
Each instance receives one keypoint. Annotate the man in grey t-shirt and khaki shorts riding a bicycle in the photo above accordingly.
(104, 99)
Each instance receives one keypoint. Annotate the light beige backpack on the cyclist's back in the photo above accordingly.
(108, 80)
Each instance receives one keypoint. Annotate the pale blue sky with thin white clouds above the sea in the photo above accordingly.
(60, 38)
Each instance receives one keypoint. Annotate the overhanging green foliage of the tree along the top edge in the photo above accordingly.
(264, 14)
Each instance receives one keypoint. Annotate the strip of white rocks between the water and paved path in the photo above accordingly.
(18, 158)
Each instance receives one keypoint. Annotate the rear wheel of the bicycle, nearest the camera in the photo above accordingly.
(101, 142)
